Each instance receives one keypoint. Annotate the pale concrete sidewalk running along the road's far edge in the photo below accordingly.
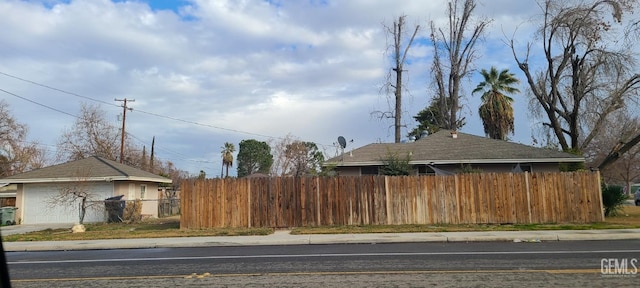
(285, 238)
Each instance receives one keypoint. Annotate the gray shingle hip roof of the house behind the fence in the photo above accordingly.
(442, 148)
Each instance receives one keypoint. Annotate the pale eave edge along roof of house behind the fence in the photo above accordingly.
(470, 161)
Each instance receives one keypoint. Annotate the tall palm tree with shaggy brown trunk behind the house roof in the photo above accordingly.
(496, 110)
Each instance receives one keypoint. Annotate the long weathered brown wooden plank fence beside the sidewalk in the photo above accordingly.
(463, 198)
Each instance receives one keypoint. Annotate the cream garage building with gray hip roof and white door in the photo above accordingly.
(102, 178)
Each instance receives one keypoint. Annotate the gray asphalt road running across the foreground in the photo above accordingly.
(505, 264)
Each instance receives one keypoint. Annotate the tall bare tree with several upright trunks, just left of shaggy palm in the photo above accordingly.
(454, 52)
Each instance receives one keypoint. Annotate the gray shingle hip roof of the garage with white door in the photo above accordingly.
(88, 169)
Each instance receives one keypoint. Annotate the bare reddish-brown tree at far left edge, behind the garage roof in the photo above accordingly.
(16, 154)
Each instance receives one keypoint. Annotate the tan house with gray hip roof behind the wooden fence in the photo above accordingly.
(447, 152)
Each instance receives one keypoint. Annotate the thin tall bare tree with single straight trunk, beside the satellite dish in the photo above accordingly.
(399, 57)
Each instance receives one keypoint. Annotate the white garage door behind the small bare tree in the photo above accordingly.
(39, 209)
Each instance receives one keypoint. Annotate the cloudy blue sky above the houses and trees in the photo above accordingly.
(203, 73)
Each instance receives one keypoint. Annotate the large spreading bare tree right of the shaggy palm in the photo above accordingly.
(587, 74)
